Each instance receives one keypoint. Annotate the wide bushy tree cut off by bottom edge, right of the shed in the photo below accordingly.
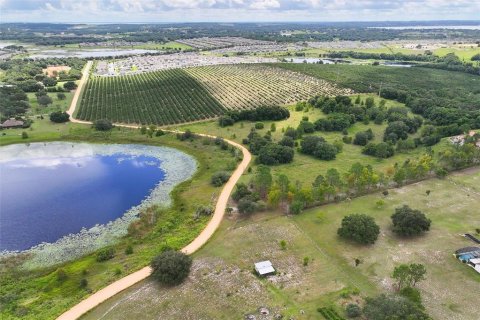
(392, 307)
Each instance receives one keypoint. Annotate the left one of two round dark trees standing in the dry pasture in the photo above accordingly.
(359, 228)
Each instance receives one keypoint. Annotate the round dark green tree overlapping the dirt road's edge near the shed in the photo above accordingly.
(171, 267)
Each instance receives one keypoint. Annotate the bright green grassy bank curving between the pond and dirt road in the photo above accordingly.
(37, 294)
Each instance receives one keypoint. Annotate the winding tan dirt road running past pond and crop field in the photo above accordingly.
(109, 291)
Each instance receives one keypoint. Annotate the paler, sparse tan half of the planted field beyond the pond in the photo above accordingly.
(249, 86)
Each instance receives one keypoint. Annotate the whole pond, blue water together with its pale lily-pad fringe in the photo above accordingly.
(55, 192)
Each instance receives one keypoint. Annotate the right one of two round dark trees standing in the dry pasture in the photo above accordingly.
(409, 222)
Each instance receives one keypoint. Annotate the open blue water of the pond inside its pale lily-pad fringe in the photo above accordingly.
(45, 198)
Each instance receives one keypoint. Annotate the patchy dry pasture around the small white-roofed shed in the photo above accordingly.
(222, 285)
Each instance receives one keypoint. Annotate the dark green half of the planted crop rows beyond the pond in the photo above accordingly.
(162, 98)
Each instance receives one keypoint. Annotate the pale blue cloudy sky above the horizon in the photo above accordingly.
(137, 11)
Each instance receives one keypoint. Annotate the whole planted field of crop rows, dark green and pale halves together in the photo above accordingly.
(184, 95)
